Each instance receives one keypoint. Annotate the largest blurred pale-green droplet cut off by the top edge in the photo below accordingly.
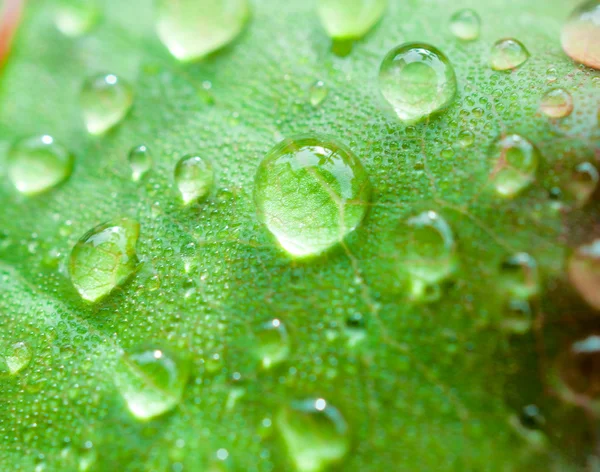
(192, 29)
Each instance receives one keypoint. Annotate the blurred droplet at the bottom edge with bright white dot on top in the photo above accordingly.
(315, 433)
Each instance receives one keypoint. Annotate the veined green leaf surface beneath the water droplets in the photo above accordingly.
(424, 364)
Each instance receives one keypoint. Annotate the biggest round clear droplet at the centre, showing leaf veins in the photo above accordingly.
(311, 192)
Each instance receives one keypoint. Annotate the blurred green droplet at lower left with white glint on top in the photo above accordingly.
(151, 381)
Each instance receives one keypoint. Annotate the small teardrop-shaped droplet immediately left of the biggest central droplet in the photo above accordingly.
(194, 177)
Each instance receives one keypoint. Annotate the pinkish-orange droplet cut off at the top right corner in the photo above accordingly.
(581, 34)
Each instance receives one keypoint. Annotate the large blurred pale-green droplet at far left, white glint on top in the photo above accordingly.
(38, 164)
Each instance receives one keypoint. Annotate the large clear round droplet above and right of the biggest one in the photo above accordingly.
(417, 80)
